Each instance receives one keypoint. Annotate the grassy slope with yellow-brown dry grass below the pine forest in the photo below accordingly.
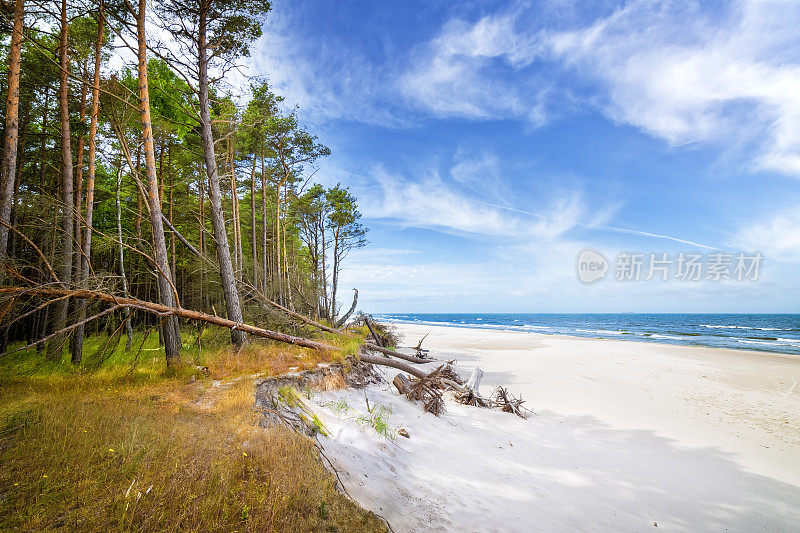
(120, 448)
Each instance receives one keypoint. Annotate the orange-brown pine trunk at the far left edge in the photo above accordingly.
(9, 168)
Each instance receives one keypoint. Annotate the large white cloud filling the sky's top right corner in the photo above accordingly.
(686, 76)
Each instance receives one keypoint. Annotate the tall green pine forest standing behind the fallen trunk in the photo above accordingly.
(138, 162)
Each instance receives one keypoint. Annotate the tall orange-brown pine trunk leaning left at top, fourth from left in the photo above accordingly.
(170, 329)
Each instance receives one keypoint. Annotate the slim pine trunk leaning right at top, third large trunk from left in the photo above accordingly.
(83, 271)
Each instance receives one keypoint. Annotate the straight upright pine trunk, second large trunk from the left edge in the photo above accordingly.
(61, 308)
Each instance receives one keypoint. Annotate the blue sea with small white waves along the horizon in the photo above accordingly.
(779, 333)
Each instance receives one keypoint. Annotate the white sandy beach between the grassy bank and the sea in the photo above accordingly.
(626, 435)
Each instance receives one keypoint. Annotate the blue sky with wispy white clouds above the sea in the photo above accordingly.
(490, 142)
